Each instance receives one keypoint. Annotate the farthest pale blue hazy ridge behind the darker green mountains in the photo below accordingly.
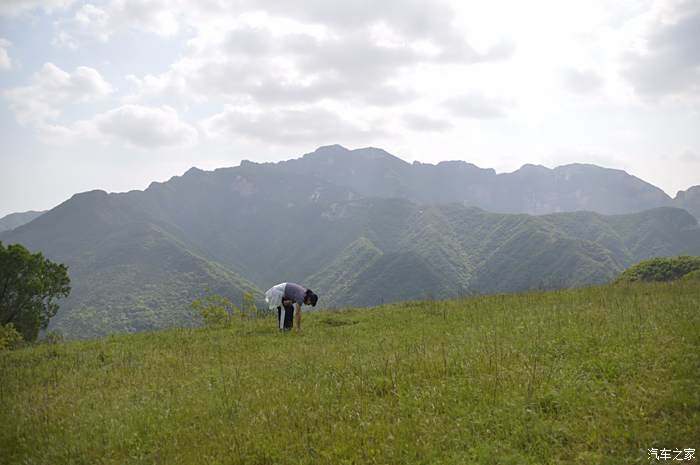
(570, 187)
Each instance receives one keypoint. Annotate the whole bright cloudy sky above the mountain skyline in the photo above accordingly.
(116, 94)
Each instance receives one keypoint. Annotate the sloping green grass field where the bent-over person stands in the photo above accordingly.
(589, 376)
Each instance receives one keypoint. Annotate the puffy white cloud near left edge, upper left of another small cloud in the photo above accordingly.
(51, 88)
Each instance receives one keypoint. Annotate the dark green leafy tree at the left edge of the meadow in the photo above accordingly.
(29, 284)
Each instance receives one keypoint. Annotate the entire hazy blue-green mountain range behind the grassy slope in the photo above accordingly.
(358, 226)
